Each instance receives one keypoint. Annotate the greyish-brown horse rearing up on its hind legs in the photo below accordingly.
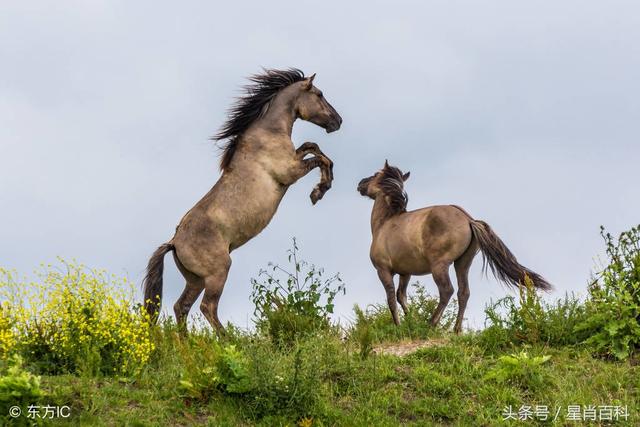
(258, 164)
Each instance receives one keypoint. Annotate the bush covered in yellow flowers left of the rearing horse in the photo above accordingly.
(75, 320)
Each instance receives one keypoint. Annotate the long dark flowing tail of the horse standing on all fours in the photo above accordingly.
(503, 264)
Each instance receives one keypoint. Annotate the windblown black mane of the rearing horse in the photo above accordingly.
(250, 106)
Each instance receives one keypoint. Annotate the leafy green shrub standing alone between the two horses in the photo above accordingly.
(295, 301)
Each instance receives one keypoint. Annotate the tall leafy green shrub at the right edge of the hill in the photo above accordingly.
(613, 308)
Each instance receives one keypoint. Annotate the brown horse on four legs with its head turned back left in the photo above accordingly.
(429, 240)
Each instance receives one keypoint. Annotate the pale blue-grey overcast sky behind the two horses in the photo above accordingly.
(525, 113)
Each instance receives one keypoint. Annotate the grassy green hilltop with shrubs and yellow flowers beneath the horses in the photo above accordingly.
(75, 340)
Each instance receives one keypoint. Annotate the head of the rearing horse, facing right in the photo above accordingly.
(313, 107)
